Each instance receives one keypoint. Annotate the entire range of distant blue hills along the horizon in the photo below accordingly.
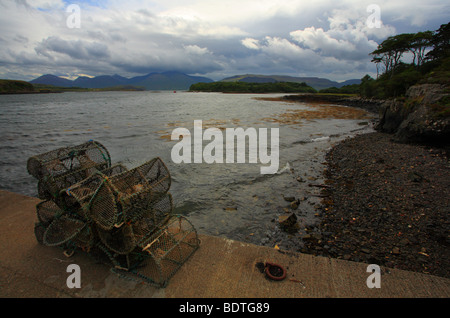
(173, 80)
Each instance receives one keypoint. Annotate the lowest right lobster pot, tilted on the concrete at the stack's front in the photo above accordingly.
(165, 251)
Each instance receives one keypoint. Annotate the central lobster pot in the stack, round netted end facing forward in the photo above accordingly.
(111, 200)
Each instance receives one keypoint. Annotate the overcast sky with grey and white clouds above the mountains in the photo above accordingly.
(212, 38)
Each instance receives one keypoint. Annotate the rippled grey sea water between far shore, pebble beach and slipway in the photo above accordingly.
(229, 200)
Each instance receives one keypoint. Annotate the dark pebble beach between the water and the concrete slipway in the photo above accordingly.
(385, 203)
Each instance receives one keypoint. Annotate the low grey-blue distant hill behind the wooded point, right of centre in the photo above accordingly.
(315, 82)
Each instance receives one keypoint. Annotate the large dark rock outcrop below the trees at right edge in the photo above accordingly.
(419, 117)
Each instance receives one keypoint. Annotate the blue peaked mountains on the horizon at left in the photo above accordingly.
(152, 81)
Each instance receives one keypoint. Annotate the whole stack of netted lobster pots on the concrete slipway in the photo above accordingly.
(121, 216)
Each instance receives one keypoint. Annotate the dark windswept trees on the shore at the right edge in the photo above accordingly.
(430, 55)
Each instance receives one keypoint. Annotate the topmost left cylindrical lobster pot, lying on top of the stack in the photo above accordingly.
(88, 156)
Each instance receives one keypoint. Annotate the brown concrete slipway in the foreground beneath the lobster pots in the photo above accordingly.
(220, 268)
